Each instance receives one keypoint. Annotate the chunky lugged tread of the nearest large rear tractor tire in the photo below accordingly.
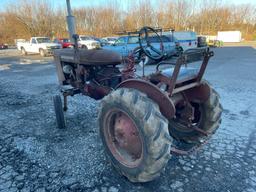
(155, 130)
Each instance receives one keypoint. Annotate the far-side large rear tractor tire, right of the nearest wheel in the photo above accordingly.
(209, 120)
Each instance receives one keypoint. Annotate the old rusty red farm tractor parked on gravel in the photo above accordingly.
(142, 119)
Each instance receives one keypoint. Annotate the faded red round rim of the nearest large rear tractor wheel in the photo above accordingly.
(123, 138)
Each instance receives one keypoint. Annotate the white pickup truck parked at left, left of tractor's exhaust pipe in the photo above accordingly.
(41, 45)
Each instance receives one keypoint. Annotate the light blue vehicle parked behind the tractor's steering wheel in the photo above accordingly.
(126, 44)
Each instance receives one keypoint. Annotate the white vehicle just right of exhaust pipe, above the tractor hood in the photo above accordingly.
(88, 42)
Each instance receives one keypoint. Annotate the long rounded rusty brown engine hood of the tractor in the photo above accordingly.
(90, 57)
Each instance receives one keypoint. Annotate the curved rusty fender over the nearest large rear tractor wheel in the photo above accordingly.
(166, 105)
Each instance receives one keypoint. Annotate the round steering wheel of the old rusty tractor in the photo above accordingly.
(148, 49)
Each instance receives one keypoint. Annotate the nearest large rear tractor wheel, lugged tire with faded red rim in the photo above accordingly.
(143, 149)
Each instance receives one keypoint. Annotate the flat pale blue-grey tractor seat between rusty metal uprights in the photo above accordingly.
(184, 72)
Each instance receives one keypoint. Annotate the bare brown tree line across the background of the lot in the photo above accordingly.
(43, 18)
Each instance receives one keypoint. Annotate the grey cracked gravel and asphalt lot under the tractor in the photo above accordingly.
(36, 156)
